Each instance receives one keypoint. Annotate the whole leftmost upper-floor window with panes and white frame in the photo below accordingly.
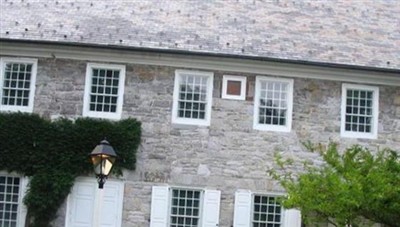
(17, 82)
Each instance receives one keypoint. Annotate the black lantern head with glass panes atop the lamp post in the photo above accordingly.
(103, 157)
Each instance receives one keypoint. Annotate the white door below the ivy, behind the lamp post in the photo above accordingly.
(87, 203)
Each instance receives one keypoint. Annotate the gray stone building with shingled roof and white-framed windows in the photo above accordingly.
(219, 87)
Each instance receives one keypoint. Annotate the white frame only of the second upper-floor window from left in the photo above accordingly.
(88, 83)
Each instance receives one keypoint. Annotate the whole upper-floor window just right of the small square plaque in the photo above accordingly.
(273, 104)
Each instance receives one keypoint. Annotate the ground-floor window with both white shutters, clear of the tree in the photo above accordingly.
(182, 207)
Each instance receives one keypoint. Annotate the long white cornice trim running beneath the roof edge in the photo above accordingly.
(201, 62)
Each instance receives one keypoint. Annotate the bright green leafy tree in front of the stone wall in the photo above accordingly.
(350, 188)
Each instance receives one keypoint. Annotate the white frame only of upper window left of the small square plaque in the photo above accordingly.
(189, 121)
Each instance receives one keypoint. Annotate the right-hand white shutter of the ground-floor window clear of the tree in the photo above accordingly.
(211, 208)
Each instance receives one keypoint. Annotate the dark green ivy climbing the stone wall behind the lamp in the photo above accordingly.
(53, 154)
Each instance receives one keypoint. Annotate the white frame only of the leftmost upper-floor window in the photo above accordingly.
(29, 108)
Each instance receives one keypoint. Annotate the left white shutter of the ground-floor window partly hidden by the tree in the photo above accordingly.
(242, 212)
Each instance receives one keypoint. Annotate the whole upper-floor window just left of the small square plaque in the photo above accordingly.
(192, 97)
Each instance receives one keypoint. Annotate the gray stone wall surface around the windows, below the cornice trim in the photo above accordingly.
(228, 155)
